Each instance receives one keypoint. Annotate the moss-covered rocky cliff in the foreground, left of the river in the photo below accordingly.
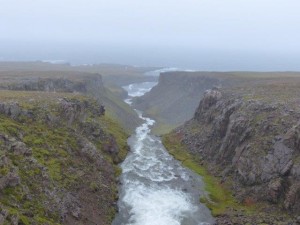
(57, 159)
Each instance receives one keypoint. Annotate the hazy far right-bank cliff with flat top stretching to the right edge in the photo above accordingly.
(176, 97)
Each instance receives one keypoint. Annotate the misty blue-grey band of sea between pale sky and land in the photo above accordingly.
(188, 59)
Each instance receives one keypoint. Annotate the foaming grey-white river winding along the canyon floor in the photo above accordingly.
(155, 189)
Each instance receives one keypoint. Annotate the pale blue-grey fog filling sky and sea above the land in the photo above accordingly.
(196, 34)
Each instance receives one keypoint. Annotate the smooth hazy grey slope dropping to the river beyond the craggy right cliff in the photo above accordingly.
(176, 96)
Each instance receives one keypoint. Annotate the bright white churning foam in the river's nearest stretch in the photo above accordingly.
(156, 206)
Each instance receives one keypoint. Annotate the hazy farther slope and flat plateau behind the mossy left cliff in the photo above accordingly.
(72, 81)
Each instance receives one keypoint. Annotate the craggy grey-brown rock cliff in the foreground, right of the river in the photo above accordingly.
(250, 137)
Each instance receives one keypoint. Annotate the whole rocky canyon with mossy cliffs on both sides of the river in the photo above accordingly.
(63, 135)
